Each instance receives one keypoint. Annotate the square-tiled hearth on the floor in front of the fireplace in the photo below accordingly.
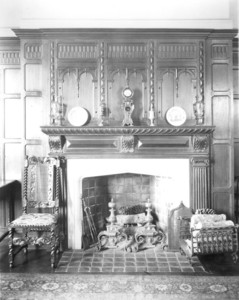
(117, 261)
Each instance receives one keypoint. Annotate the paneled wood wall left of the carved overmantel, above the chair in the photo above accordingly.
(22, 108)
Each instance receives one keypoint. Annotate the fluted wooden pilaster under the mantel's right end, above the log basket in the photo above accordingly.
(200, 184)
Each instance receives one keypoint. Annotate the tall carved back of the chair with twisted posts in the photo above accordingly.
(41, 184)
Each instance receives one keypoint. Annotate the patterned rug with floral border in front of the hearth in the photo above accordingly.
(131, 287)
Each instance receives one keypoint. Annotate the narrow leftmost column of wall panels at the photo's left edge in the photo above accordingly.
(11, 111)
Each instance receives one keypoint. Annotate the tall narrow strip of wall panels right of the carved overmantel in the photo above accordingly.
(221, 99)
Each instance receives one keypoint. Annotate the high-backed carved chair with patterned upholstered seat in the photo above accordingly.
(39, 224)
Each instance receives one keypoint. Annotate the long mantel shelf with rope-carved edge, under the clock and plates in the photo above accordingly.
(164, 131)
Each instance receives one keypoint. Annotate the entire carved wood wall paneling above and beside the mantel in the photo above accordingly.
(90, 68)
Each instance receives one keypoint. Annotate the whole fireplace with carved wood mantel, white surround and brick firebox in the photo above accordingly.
(173, 161)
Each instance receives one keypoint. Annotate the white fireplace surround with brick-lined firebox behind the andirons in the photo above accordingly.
(130, 183)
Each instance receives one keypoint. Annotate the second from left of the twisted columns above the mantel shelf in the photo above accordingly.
(102, 85)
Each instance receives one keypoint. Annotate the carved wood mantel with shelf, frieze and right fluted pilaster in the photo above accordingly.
(191, 142)
